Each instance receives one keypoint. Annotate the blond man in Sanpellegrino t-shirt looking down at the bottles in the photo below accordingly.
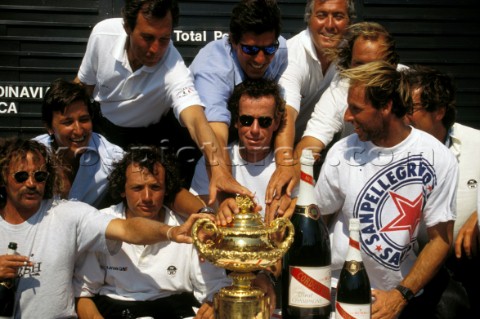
(390, 176)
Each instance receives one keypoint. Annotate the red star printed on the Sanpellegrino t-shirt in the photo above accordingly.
(409, 216)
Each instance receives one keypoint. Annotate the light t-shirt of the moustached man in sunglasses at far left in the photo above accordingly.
(53, 238)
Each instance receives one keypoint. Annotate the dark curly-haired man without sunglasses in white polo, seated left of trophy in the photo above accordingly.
(162, 280)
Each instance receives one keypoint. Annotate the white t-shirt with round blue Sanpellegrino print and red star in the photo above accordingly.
(391, 190)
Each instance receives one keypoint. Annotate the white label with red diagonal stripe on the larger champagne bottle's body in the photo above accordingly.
(309, 287)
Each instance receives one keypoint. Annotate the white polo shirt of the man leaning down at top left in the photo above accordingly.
(140, 98)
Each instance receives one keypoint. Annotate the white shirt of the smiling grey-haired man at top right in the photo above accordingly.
(303, 82)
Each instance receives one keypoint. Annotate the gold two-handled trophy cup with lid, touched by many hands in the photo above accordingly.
(245, 245)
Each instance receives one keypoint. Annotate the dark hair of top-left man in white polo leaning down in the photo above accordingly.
(149, 9)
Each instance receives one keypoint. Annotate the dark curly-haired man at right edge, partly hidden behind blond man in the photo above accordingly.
(433, 110)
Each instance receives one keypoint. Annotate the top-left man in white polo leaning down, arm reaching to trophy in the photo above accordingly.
(133, 70)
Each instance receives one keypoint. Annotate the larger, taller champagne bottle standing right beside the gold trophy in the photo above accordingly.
(306, 270)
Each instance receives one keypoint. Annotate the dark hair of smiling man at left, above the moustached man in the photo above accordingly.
(60, 95)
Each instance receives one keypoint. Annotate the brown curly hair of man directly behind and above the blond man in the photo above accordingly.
(371, 31)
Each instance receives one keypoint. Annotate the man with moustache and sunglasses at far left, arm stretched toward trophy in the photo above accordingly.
(52, 234)
